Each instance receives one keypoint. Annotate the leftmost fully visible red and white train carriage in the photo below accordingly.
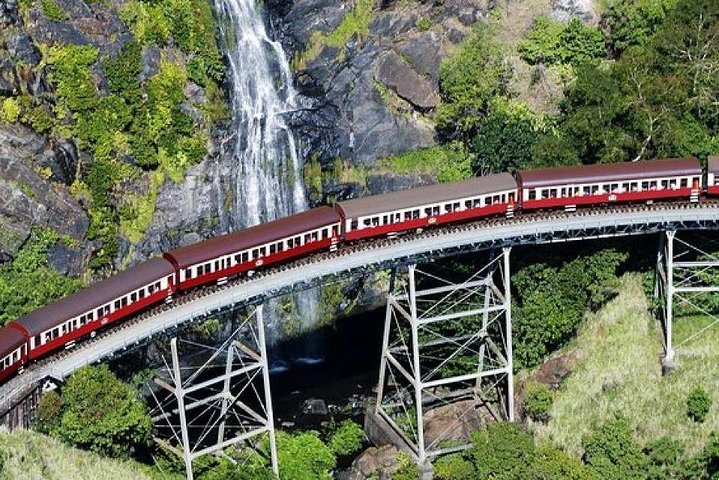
(61, 323)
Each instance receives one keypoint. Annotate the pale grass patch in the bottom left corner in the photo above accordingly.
(32, 456)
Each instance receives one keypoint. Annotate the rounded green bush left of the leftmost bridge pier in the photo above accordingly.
(101, 414)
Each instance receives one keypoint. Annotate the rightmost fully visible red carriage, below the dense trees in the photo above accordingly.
(617, 182)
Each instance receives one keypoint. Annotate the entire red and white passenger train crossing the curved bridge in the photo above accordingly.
(62, 324)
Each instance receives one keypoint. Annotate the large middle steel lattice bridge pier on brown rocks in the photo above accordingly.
(446, 357)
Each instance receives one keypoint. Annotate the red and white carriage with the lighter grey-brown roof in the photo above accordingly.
(426, 206)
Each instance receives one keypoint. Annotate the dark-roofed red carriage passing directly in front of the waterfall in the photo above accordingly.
(276, 241)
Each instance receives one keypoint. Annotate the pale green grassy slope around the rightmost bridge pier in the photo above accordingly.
(618, 373)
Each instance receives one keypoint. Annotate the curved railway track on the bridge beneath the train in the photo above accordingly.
(6, 397)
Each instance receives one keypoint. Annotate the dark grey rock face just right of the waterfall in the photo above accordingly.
(373, 97)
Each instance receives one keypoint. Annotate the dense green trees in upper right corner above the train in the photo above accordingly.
(655, 101)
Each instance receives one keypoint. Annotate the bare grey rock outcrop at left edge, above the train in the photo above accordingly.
(28, 199)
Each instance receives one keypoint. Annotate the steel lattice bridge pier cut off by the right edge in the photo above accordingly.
(686, 274)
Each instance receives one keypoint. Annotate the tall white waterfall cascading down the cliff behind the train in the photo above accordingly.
(268, 176)
